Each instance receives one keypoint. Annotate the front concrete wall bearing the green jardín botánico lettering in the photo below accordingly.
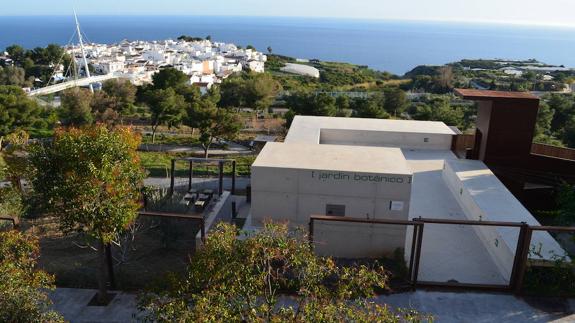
(293, 195)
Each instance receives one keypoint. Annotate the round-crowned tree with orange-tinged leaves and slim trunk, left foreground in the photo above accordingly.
(91, 179)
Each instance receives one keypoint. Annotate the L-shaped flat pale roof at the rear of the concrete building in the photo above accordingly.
(307, 129)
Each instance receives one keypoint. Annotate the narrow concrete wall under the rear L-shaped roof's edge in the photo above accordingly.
(385, 139)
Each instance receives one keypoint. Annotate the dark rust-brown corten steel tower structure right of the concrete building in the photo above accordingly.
(505, 129)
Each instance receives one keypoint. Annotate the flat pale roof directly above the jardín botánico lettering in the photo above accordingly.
(379, 160)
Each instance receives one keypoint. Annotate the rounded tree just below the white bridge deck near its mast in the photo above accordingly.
(76, 107)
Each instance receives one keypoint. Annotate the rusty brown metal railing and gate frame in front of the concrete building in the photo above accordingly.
(520, 261)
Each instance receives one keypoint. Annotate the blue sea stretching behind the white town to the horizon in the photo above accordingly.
(394, 46)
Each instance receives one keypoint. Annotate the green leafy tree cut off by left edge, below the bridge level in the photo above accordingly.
(17, 110)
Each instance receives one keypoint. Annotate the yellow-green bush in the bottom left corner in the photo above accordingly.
(23, 288)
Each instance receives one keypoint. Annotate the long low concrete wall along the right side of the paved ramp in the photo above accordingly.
(484, 198)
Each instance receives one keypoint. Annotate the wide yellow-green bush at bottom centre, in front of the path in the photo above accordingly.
(240, 280)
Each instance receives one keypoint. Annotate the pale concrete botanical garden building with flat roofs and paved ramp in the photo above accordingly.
(393, 169)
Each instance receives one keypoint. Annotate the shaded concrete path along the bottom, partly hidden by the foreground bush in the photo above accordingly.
(443, 306)
